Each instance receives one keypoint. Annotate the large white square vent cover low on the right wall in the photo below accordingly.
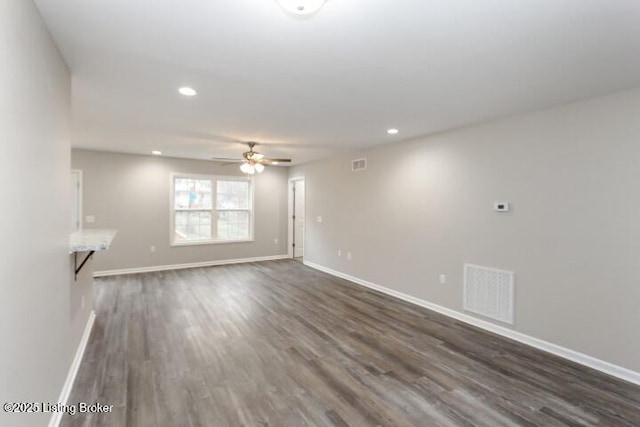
(489, 292)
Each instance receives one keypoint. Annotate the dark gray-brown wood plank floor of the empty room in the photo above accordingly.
(279, 344)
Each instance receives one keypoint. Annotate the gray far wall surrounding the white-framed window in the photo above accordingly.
(131, 193)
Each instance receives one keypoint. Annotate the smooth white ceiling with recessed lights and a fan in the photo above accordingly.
(308, 88)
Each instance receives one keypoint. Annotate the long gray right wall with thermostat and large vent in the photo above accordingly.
(425, 207)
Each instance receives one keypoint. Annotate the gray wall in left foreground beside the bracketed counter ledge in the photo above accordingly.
(41, 320)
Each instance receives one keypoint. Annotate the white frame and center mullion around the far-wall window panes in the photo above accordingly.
(214, 211)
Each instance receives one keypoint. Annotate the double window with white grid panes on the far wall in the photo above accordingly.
(210, 209)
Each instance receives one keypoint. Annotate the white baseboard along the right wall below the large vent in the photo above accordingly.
(574, 356)
